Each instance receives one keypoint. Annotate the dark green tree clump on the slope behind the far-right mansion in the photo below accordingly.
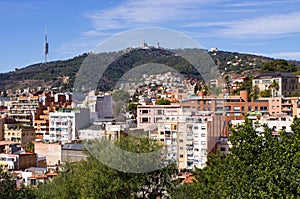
(278, 65)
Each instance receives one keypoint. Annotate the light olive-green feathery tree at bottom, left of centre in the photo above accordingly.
(92, 179)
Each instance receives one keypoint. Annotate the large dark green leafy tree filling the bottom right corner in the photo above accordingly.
(260, 165)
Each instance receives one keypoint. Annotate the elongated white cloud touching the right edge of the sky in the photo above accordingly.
(264, 26)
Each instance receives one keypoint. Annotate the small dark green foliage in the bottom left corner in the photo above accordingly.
(9, 190)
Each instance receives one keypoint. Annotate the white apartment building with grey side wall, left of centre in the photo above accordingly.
(65, 123)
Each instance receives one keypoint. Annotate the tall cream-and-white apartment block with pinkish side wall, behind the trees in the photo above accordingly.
(188, 137)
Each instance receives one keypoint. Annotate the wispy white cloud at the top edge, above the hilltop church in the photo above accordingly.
(137, 13)
